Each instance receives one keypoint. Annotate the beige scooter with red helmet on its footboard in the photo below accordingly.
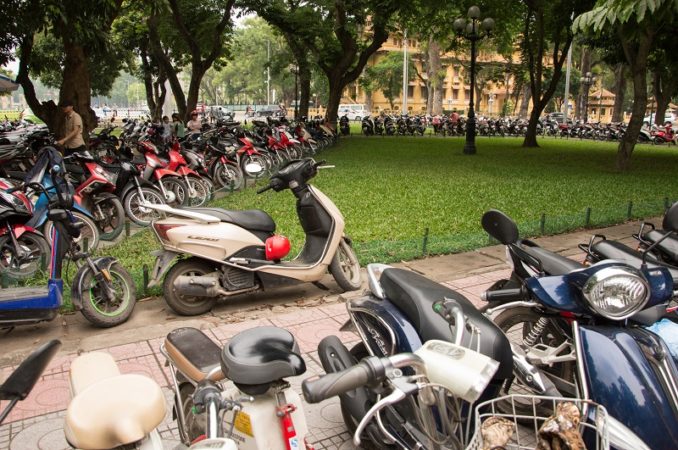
(234, 252)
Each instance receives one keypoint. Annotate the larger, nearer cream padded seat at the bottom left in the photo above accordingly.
(115, 411)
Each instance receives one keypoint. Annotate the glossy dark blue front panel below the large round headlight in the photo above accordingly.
(631, 372)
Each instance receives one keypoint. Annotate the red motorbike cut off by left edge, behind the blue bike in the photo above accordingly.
(22, 248)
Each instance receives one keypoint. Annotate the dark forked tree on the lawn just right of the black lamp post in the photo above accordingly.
(547, 33)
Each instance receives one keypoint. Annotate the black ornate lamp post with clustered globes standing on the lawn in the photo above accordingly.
(473, 30)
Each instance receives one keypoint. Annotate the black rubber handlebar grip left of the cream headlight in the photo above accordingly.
(327, 386)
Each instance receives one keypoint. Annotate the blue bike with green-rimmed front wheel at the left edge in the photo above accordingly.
(101, 288)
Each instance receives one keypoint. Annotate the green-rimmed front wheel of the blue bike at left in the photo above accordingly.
(100, 312)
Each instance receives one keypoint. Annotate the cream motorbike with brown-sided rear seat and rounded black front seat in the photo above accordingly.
(242, 383)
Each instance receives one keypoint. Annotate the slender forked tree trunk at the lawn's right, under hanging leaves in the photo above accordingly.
(637, 60)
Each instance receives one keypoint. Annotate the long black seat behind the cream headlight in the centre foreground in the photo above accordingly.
(414, 295)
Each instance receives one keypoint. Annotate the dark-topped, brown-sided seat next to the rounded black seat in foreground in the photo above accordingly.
(193, 353)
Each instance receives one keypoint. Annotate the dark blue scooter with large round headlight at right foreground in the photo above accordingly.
(581, 326)
